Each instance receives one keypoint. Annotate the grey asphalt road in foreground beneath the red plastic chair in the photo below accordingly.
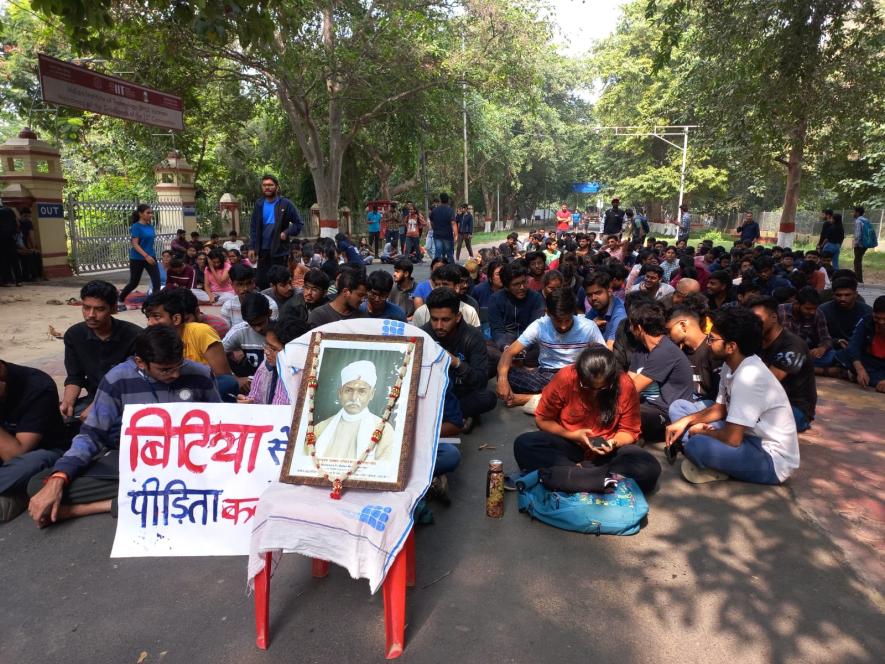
(720, 573)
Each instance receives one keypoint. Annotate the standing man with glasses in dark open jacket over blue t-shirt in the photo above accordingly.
(274, 222)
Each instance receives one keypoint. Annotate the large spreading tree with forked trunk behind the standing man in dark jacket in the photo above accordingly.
(336, 66)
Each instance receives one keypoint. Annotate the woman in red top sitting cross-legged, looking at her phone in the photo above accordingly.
(592, 398)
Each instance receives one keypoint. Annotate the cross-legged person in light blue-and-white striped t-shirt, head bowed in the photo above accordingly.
(560, 335)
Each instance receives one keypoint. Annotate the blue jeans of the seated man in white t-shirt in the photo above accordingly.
(747, 462)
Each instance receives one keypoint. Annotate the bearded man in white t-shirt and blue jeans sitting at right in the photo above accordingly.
(749, 433)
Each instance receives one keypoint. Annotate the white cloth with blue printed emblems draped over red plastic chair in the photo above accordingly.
(364, 530)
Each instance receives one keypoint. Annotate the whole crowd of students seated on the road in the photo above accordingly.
(630, 341)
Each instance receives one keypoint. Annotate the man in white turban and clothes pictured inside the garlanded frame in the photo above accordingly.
(347, 433)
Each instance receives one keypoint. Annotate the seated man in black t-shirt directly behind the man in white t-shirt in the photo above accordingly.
(787, 356)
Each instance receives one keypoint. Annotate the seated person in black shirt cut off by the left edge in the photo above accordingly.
(31, 432)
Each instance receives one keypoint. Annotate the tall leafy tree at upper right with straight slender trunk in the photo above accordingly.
(778, 77)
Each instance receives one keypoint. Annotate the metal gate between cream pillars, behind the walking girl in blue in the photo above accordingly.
(99, 232)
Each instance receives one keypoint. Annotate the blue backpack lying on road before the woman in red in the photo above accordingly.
(616, 513)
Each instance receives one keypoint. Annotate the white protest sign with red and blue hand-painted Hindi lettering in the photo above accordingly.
(191, 475)
